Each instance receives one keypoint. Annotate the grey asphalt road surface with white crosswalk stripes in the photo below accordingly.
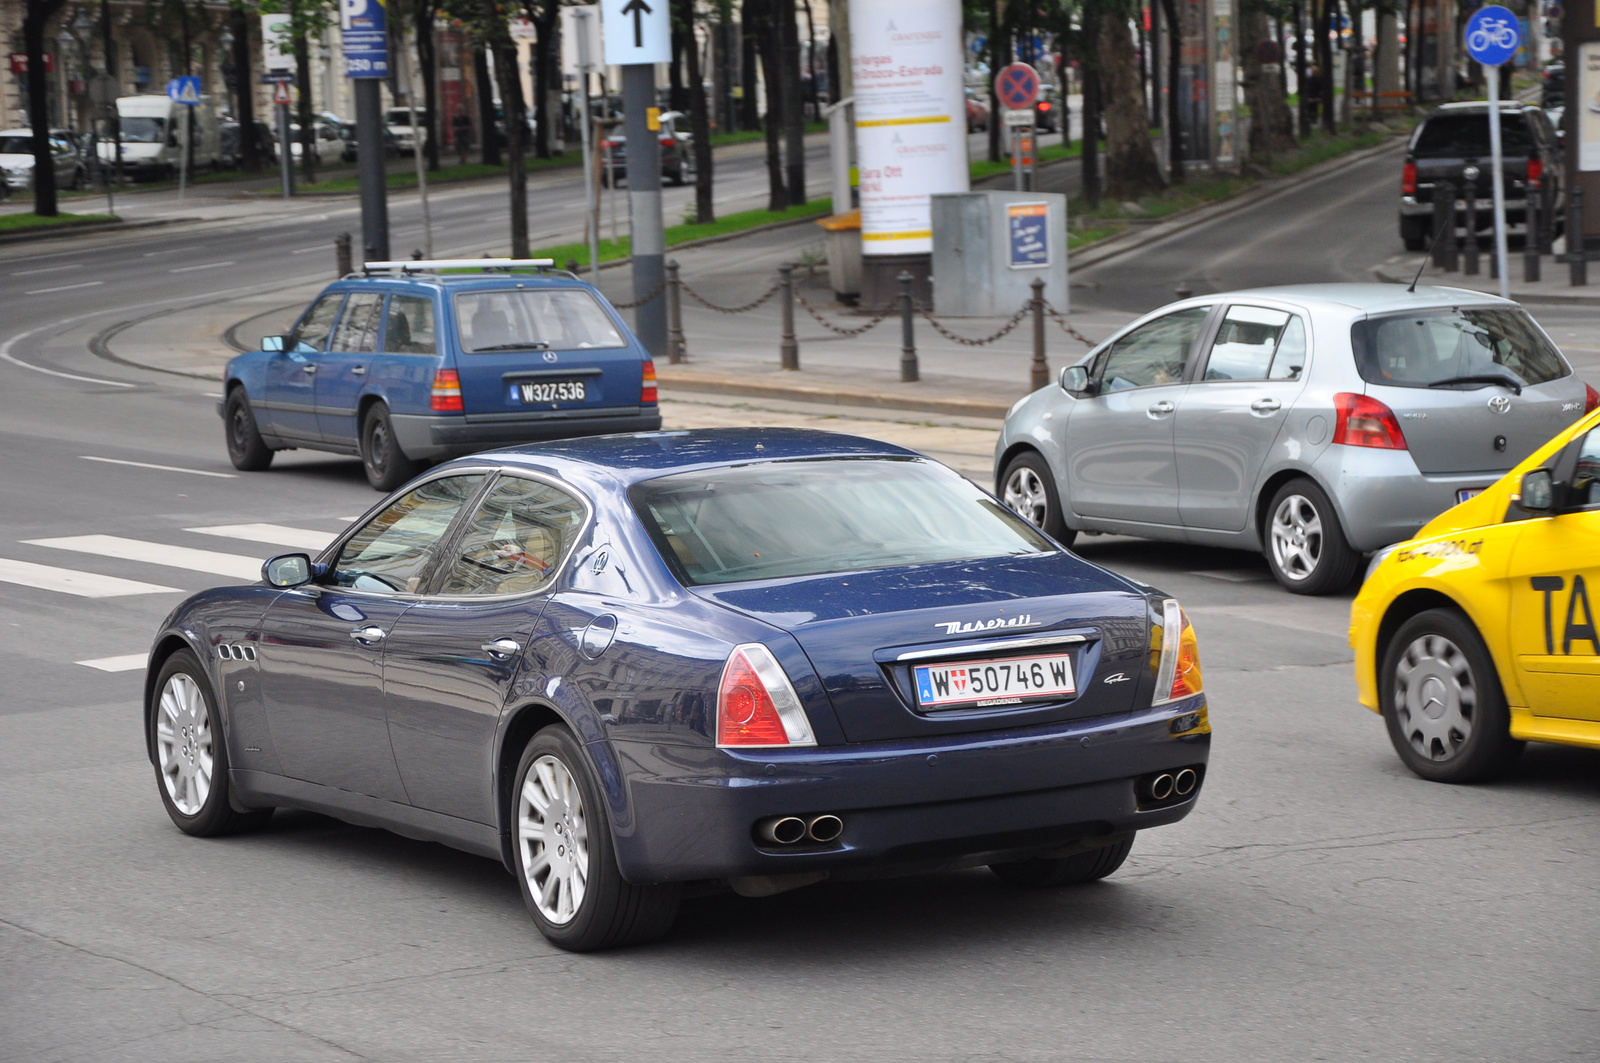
(1319, 904)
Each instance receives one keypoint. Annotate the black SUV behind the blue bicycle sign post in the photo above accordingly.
(1457, 137)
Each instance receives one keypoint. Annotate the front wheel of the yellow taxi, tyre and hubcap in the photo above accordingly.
(1442, 700)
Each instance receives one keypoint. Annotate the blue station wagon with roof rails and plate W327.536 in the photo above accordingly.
(409, 363)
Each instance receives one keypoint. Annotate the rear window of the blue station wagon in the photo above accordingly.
(534, 319)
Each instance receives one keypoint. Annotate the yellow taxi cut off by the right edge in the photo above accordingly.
(1481, 633)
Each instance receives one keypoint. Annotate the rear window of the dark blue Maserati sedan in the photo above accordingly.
(823, 516)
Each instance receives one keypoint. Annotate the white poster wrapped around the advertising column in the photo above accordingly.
(911, 118)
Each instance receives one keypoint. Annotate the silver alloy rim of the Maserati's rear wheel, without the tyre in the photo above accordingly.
(553, 840)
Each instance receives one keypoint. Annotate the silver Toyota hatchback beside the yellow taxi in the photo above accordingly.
(1313, 423)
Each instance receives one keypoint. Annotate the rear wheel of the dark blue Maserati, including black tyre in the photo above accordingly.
(566, 862)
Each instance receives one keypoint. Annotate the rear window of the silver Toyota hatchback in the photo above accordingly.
(1447, 345)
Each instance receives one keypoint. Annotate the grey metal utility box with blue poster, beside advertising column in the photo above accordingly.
(988, 249)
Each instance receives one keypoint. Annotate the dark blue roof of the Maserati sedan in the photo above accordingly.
(641, 457)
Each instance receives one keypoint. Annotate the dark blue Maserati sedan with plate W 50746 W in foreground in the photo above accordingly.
(631, 667)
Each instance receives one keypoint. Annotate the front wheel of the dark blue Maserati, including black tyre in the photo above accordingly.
(191, 753)
